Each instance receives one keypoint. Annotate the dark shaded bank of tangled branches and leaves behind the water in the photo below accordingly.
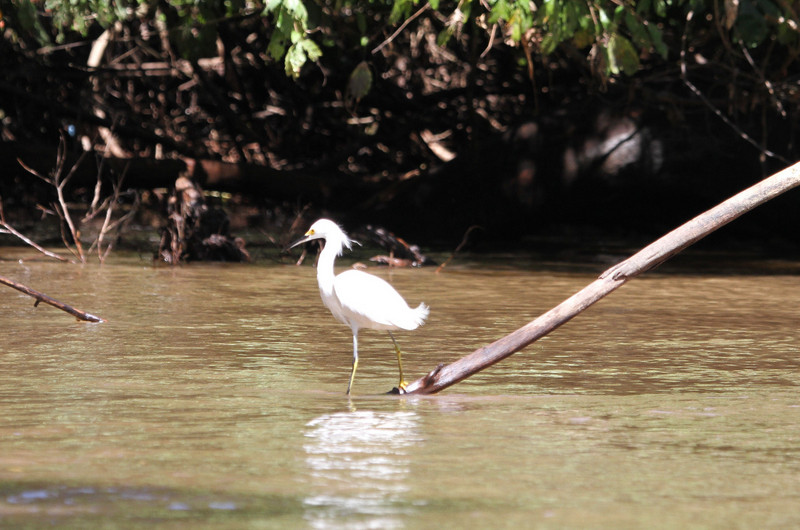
(438, 113)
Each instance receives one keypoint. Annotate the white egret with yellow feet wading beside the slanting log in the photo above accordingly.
(358, 299)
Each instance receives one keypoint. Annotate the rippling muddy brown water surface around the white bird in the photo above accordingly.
(214, 397)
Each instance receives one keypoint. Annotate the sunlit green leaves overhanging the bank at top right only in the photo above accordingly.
(616, 34)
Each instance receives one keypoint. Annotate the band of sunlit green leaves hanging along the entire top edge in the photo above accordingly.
(614, 35)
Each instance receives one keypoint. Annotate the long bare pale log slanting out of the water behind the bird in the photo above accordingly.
(651, 256)
